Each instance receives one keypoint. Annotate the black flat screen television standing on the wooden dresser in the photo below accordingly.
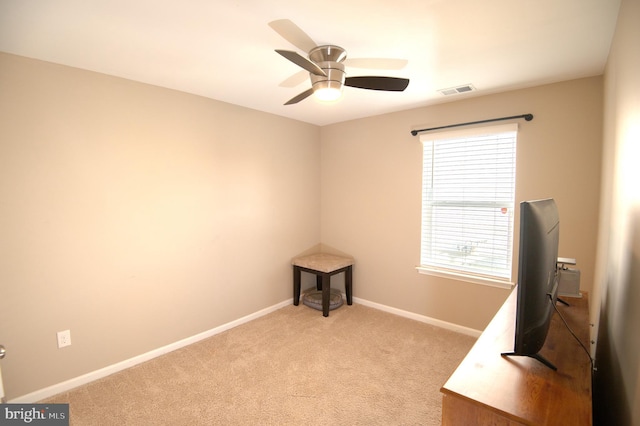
(538, 276)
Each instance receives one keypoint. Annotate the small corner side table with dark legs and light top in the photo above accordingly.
(323, 266)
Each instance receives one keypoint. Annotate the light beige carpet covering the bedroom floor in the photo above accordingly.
(359, 366)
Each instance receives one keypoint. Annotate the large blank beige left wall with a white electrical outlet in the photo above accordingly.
(137, 216)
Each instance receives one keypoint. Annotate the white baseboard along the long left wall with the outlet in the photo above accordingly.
(50, 391)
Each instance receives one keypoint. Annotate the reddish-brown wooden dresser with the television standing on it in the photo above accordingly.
(489, 389)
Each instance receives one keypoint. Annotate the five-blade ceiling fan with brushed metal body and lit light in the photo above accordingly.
(326, 66)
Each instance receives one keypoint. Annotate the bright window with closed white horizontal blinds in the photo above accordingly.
(468, 191)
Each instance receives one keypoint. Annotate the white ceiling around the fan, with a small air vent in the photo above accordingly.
(224, 49)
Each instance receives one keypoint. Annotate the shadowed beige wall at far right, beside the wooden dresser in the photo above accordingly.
(616, 303)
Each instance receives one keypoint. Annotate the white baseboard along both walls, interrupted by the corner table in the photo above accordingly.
(67, 385)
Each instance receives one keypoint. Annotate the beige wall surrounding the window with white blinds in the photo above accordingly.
(371, 183)
